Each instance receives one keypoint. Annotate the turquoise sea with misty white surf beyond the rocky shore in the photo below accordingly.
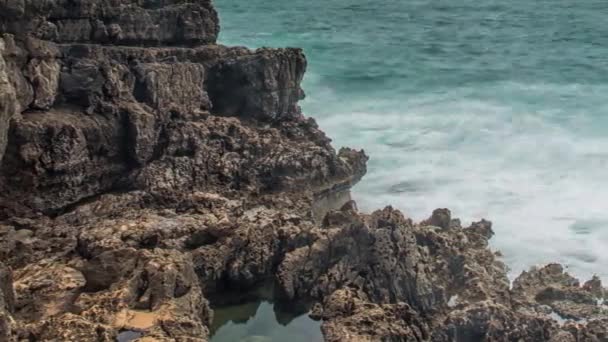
(495, 109)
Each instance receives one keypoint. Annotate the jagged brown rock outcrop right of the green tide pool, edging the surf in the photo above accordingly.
(381, 277)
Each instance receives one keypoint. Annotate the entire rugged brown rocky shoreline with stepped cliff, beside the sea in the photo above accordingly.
(146, 169)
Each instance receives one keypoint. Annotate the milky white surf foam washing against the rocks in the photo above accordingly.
(537, 172)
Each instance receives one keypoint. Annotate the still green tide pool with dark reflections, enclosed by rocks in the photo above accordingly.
(257, 317)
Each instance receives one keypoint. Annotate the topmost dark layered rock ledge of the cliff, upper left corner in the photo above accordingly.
(123, 22)
